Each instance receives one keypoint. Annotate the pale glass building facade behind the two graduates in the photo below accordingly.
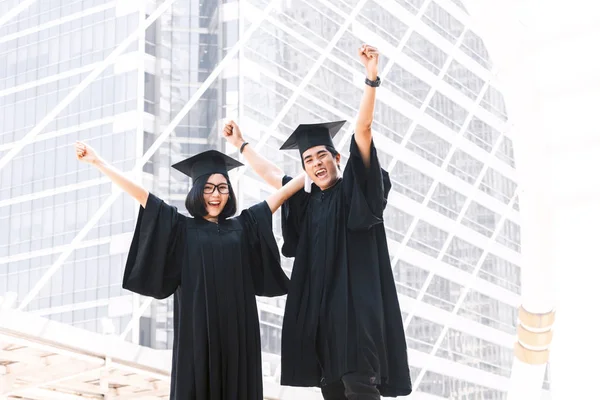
(440, 127)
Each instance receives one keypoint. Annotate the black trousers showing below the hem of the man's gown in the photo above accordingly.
(352, 386)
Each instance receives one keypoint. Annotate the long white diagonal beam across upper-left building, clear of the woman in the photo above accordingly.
(28, 138)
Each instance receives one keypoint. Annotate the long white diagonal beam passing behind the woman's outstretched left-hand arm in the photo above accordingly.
(231, 54)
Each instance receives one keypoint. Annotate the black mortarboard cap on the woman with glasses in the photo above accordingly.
(208, 162)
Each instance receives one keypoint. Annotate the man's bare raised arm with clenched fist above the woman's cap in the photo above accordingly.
(268, 171)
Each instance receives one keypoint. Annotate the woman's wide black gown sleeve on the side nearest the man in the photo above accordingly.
(265, 262)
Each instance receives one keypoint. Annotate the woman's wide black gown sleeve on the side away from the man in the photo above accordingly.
(156, 254)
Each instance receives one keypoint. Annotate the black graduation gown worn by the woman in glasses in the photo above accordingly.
(215, 270)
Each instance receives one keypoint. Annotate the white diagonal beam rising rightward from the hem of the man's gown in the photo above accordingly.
(466, 289)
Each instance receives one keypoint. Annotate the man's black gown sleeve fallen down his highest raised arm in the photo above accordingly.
(366, 189)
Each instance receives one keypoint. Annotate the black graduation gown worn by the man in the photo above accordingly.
(342, 313)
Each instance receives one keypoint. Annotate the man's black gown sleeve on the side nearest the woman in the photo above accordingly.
(292, 217)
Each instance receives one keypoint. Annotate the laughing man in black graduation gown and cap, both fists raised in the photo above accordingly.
(342, 328)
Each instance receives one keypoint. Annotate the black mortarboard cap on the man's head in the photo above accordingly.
(310, 135)
